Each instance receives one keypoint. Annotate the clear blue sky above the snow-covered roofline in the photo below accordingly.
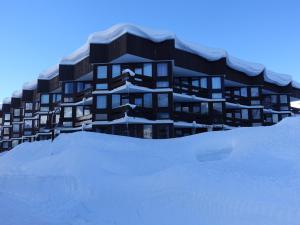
(36, 34)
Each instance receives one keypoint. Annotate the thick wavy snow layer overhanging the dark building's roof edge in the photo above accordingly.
(211, 54)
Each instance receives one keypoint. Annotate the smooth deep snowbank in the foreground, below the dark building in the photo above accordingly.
(241, 177)
